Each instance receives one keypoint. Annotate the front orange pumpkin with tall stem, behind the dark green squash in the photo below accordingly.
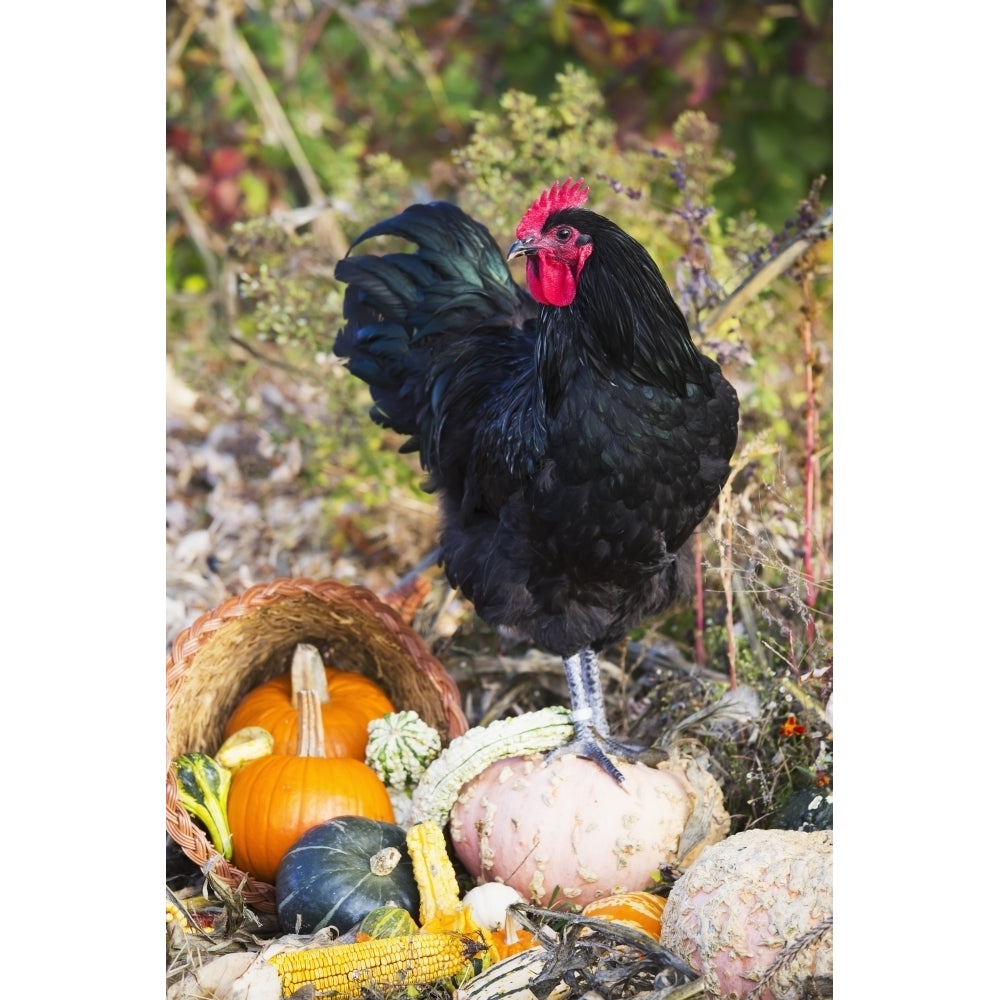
(273, 800)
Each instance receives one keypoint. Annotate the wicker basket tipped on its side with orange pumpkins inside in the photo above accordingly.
(251, 638)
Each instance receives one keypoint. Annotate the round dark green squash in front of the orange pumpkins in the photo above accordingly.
(338, 872)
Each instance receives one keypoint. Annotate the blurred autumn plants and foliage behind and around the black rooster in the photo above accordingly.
(703, 128)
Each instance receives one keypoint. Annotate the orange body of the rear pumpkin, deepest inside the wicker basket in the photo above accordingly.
(349, 702)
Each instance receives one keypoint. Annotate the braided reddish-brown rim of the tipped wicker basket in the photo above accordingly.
(194, 639)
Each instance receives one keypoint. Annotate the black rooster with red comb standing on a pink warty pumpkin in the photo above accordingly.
(575, 436)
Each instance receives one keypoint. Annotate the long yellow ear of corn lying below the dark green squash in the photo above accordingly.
(347, 970)
